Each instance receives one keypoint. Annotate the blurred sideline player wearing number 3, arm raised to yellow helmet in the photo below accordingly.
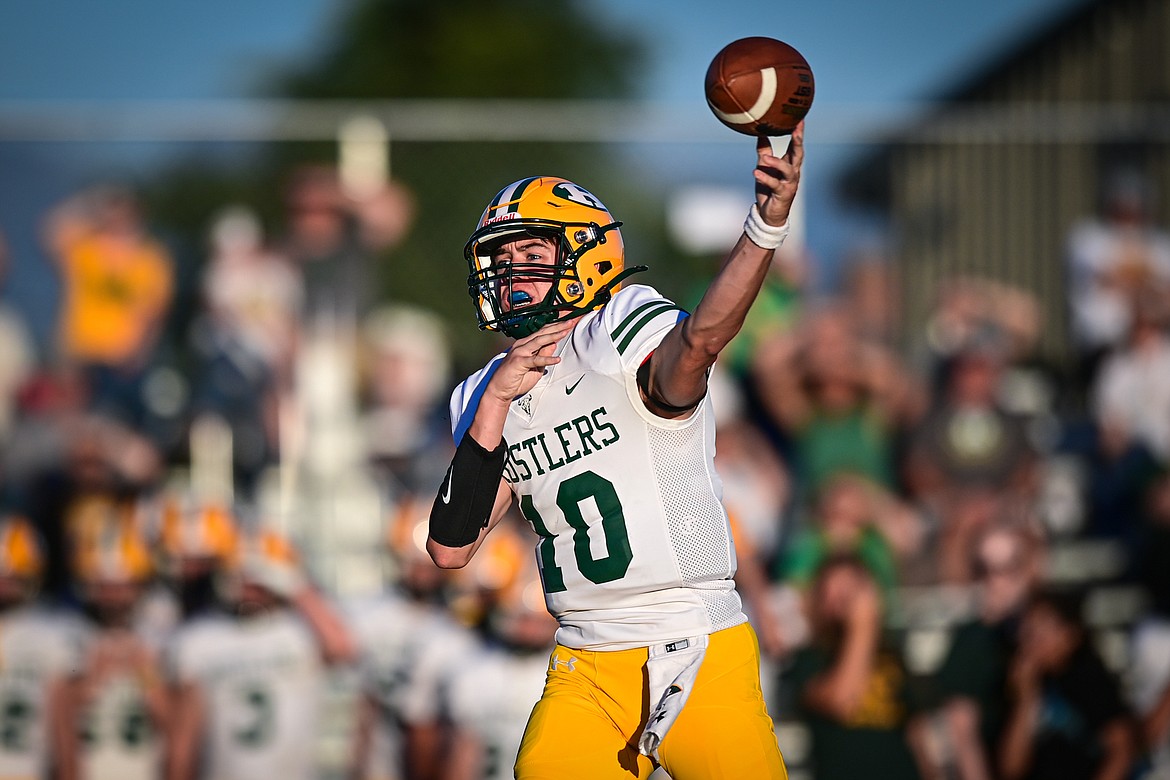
(250, 682)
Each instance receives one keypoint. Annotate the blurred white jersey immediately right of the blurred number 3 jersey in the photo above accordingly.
(409, 653)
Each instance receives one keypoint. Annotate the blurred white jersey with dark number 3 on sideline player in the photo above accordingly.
(263, 680)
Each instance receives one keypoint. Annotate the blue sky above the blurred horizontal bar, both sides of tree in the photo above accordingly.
(862, 52)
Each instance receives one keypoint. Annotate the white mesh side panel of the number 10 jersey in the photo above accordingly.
(696, 520)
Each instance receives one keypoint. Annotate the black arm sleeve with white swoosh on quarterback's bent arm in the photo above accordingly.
(469, 493)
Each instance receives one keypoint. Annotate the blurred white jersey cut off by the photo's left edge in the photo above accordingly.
(36, 647)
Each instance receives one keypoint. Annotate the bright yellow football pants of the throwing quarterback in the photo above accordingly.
(595, 706)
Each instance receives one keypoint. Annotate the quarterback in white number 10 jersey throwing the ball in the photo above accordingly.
(597, 422)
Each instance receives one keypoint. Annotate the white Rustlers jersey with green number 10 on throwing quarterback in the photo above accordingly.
(636, 547)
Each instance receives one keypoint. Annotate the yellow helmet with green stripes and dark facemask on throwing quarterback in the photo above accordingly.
(590, 265)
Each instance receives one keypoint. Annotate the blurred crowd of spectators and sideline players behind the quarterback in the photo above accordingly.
(955, 550)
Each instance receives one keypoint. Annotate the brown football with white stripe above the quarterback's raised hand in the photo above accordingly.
(760, 87)
